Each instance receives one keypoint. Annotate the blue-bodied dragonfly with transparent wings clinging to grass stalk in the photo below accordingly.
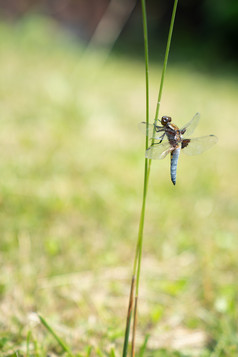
(168, 138)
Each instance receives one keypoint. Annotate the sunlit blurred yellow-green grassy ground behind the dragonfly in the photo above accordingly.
(70, 193)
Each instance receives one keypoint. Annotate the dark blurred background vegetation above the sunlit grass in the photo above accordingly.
(206, 30)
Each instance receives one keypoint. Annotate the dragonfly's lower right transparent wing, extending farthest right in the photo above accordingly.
(196, 146)
